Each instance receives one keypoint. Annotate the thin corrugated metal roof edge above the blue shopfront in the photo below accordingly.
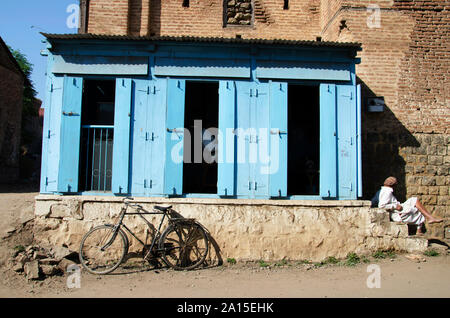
(91, 36)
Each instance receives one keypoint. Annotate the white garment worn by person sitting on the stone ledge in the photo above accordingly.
(409, 214)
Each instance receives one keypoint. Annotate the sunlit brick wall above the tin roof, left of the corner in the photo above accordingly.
(203, 18)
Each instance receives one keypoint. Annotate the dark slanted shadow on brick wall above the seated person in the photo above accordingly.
(383, 135)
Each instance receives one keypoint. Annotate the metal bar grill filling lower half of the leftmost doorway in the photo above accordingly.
(97, 148)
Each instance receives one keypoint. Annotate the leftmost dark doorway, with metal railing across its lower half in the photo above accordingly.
(97, 135)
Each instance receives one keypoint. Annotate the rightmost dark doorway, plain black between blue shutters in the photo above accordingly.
(303, 140)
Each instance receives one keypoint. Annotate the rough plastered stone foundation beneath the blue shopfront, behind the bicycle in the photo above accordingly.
(241, 229)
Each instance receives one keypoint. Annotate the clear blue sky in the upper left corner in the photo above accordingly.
(16, 20)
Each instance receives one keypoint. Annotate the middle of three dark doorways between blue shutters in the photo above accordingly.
(201, 119)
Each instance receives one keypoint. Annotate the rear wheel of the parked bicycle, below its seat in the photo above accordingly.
(184, 245)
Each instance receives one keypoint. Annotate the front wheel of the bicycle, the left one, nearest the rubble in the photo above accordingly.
(102, 249)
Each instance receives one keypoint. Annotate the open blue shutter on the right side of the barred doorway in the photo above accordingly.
(121, 149)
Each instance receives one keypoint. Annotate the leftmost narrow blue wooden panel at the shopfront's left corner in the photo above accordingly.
(51, 135)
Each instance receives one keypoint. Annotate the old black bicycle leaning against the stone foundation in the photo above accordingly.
(183, 245)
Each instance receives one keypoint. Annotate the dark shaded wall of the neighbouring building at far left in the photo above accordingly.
(11, 88)
